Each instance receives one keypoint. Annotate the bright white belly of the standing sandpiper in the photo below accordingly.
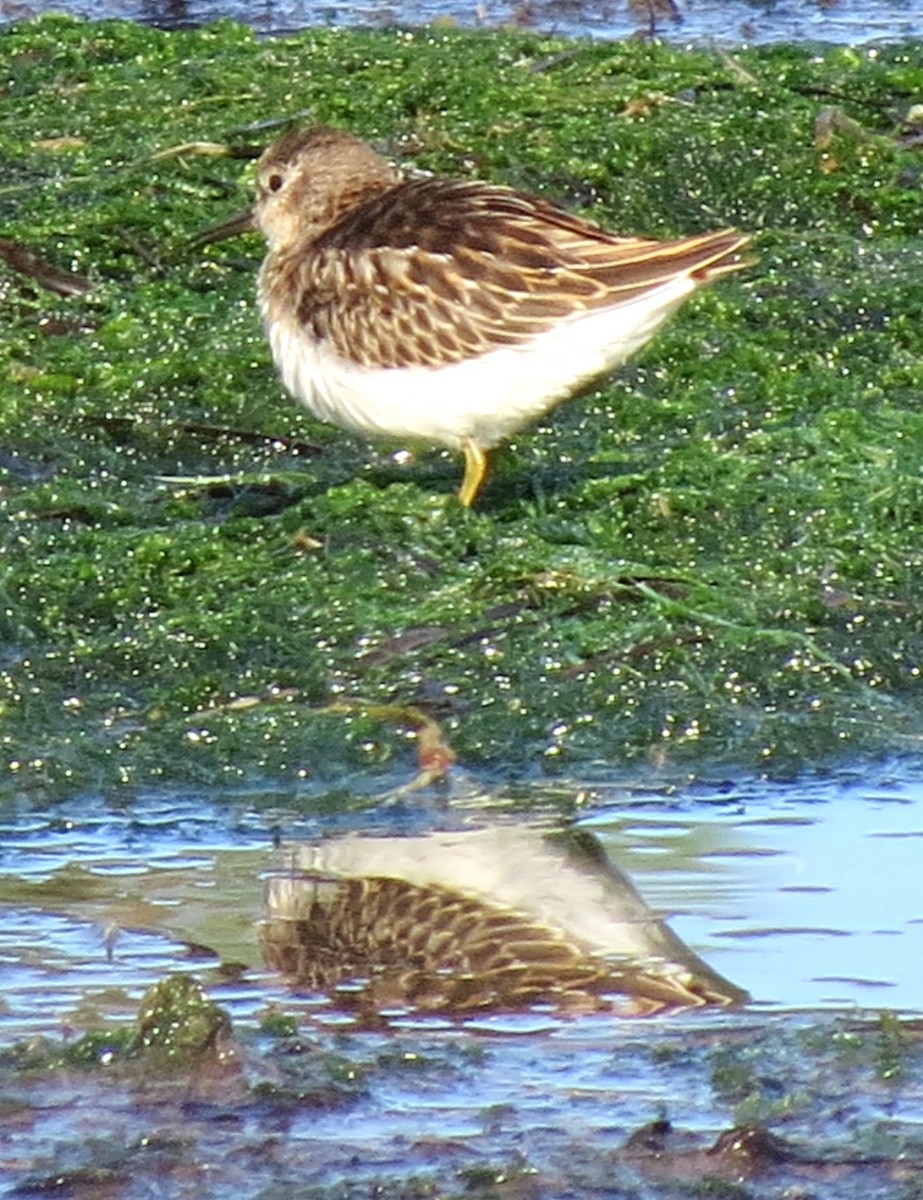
(486, 399)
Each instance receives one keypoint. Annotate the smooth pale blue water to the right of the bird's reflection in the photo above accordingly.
(808, 896)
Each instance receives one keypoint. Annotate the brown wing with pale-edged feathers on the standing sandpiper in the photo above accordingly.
(435, 272)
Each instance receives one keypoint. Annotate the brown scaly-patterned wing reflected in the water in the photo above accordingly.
(433, 949)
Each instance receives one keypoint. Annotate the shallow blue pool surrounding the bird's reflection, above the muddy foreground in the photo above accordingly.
(806, 895)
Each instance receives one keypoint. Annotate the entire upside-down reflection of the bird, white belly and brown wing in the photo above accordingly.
(504, 917)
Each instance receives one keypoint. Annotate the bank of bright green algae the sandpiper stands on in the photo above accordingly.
(715, 554)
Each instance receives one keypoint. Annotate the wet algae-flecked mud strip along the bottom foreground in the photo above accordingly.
(430, 1114)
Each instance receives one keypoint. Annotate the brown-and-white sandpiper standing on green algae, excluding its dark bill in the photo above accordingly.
(447, 311)
